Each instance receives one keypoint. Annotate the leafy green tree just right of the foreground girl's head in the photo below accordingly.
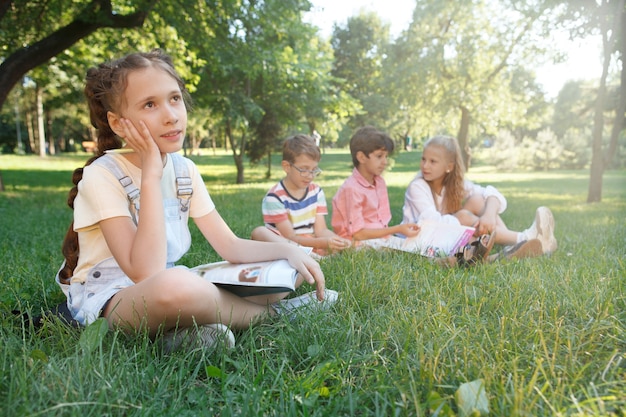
(261, 69)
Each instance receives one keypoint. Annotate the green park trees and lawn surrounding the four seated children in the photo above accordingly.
(545, 335)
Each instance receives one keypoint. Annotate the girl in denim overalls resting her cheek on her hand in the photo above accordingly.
(124, 269)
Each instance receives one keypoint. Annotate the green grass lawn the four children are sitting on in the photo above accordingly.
(547, 335)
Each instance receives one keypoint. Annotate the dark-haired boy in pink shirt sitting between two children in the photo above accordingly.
(361, 205)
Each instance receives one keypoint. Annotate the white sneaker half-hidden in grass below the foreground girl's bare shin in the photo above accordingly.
(206, 336)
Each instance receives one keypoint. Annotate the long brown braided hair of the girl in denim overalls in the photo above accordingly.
(104, 90)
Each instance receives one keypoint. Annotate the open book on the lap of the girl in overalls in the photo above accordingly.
(251, 278)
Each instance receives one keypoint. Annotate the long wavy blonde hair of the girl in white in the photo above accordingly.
(453, 180)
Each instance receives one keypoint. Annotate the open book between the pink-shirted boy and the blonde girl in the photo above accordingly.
(435, 239)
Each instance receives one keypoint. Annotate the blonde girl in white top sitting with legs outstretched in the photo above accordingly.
(439, 192)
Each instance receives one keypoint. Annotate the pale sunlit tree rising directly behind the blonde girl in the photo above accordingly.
(469, 64)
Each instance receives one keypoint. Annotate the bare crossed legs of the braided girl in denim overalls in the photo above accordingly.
(177, 297)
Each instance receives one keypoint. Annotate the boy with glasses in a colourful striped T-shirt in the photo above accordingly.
(295, 208)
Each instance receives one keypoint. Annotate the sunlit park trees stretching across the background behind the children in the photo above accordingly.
(257, 72)
